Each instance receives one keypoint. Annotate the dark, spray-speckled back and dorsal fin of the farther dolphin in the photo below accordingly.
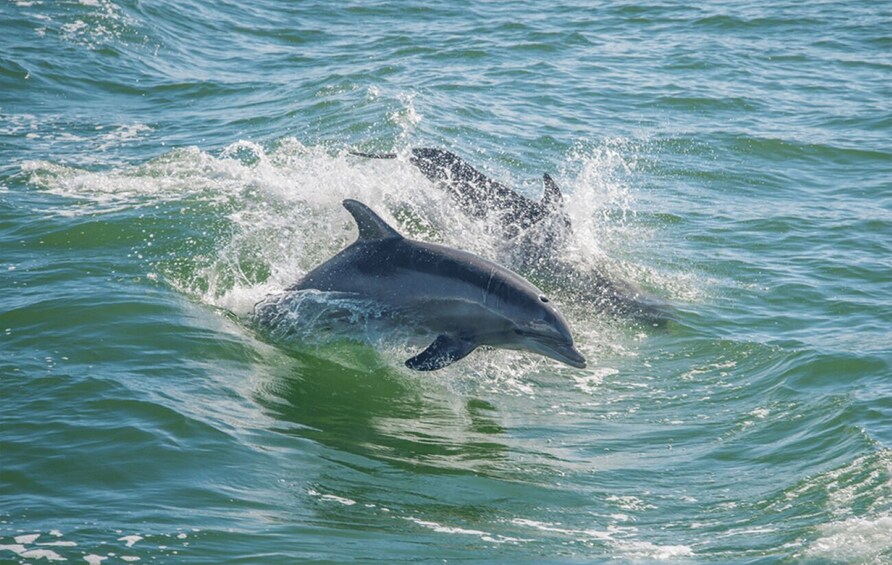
(479, 195)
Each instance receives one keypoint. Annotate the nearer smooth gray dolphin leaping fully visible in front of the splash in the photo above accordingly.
(464, 299)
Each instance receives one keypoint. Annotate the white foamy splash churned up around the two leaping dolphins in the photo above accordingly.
(264, 216)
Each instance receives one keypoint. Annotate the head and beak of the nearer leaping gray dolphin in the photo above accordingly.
(545, 331)
